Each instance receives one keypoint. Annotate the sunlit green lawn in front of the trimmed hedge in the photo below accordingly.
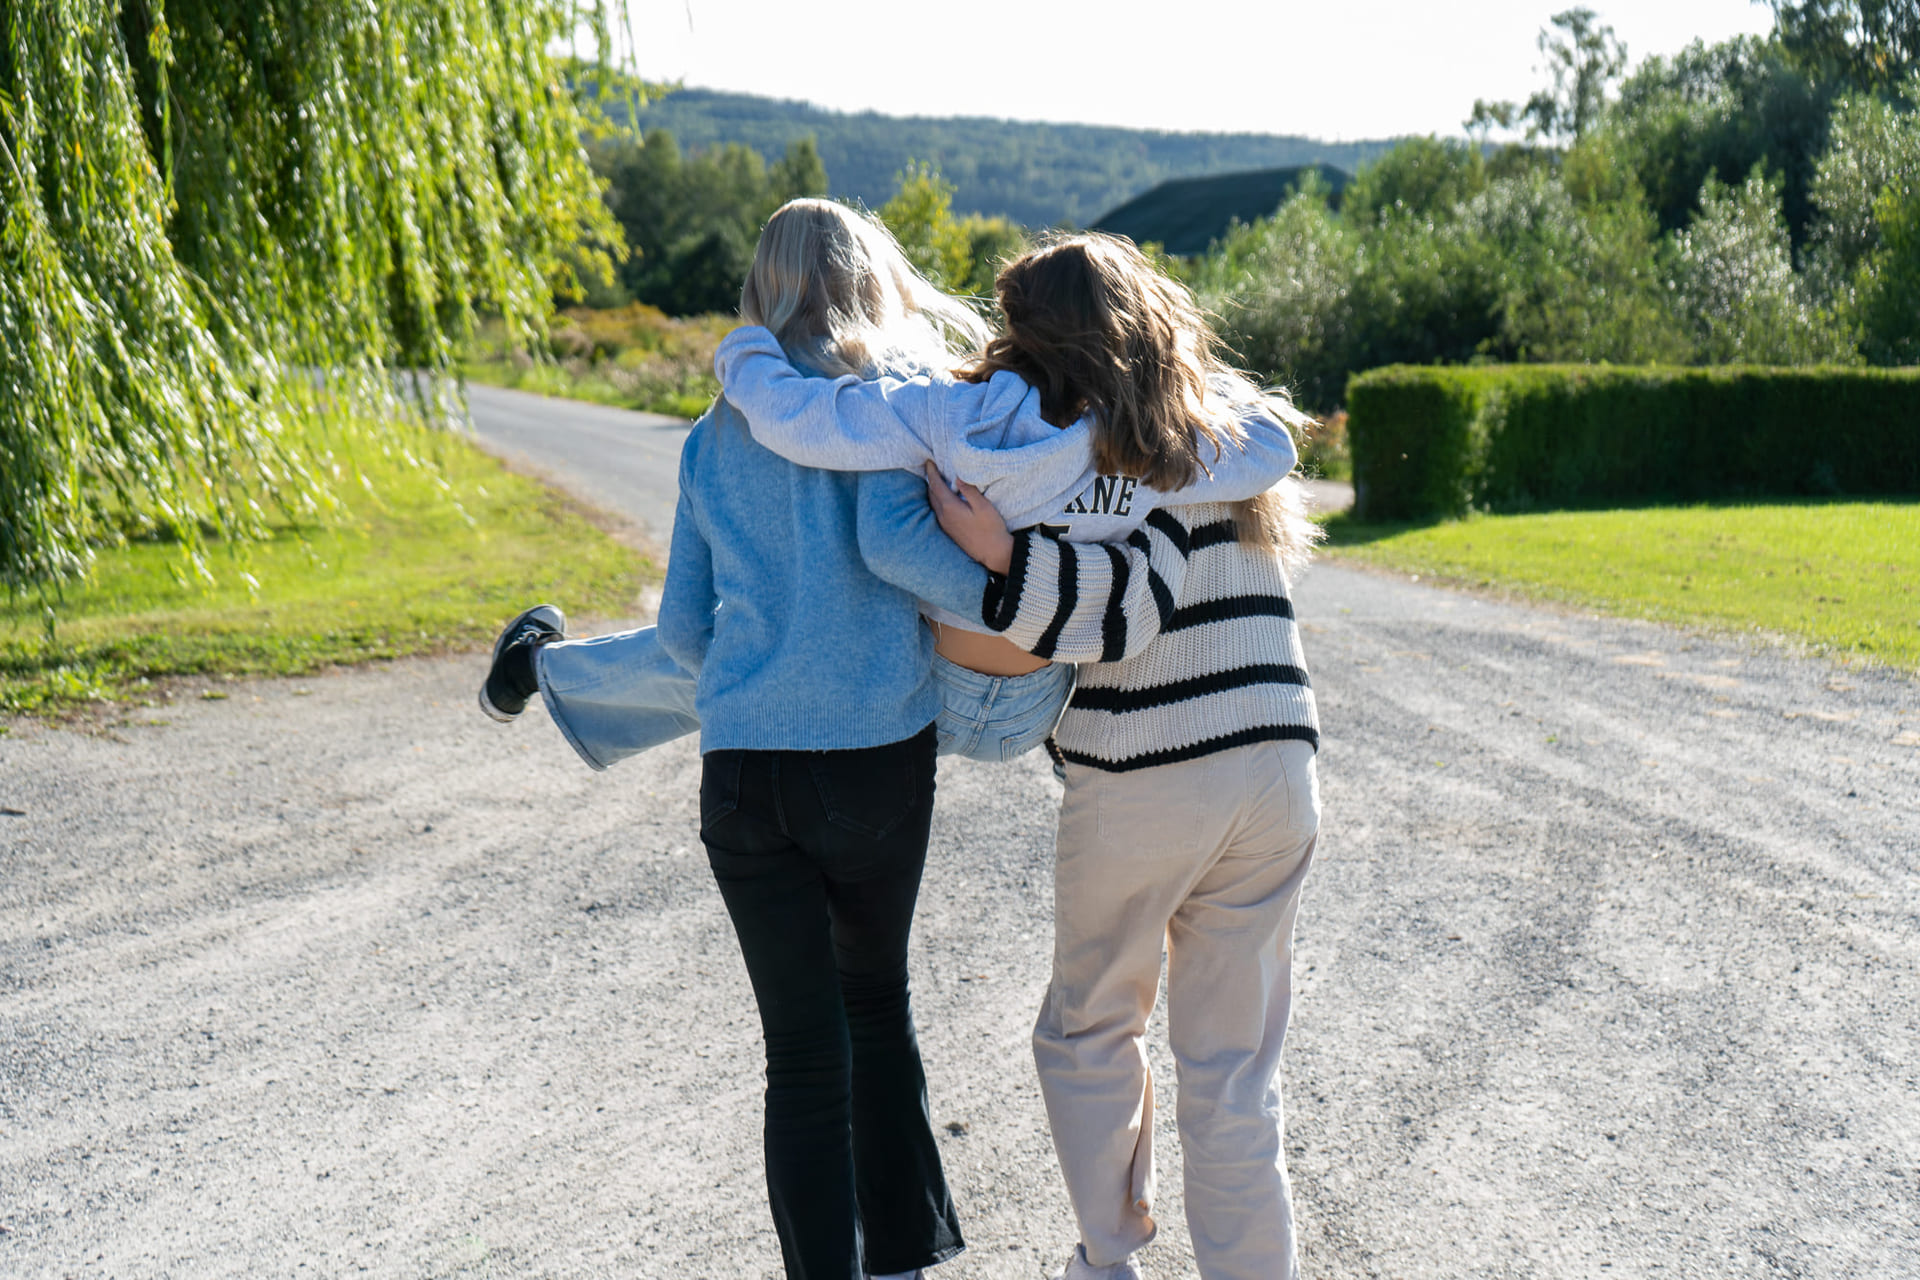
(1840, 577)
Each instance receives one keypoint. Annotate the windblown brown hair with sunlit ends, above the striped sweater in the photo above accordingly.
(1101, 333)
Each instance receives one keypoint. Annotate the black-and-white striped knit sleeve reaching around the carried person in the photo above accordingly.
(1092, 602)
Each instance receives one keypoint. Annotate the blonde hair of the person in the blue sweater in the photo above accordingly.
(840, 296)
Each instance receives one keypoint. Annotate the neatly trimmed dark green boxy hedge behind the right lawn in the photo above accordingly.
(1437, 442)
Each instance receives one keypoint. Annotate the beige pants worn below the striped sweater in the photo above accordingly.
(1207, 859)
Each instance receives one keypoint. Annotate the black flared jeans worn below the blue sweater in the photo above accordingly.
(819, 857)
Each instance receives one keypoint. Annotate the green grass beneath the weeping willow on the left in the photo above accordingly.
(433, 559)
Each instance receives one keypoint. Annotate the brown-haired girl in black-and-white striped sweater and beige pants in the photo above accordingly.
(1191, 797)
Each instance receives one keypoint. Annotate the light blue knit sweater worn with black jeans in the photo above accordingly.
(792, 596)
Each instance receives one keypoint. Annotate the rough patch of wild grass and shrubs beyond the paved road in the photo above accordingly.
(633, 358)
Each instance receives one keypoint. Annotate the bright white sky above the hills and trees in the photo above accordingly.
(1341, 70)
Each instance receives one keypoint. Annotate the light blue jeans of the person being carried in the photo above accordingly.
(617, 696)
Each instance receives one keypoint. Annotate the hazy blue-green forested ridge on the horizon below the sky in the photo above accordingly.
(1032, 174)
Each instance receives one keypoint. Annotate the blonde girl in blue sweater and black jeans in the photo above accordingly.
(817, 709)
